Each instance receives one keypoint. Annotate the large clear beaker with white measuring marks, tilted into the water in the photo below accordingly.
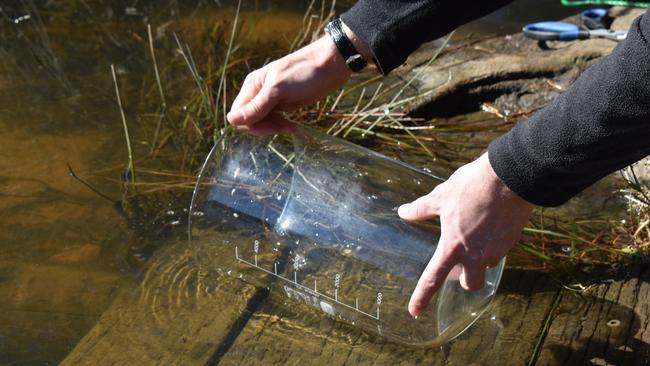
(314, 218)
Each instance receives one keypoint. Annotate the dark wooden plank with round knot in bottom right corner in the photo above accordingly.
(607, 326)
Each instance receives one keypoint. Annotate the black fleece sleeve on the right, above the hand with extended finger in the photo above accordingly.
(599, 125)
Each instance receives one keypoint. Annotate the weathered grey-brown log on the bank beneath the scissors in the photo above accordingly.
(513, 72)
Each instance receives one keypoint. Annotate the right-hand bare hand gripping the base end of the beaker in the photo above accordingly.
(481, 220)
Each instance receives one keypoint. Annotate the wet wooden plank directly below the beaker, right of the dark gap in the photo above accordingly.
(506, 334)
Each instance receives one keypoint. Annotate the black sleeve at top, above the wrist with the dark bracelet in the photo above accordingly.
(395, 28)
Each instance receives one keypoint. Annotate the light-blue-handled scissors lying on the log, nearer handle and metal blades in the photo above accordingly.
(561, 31)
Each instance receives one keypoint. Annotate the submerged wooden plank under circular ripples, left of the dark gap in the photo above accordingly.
(172, 317)
